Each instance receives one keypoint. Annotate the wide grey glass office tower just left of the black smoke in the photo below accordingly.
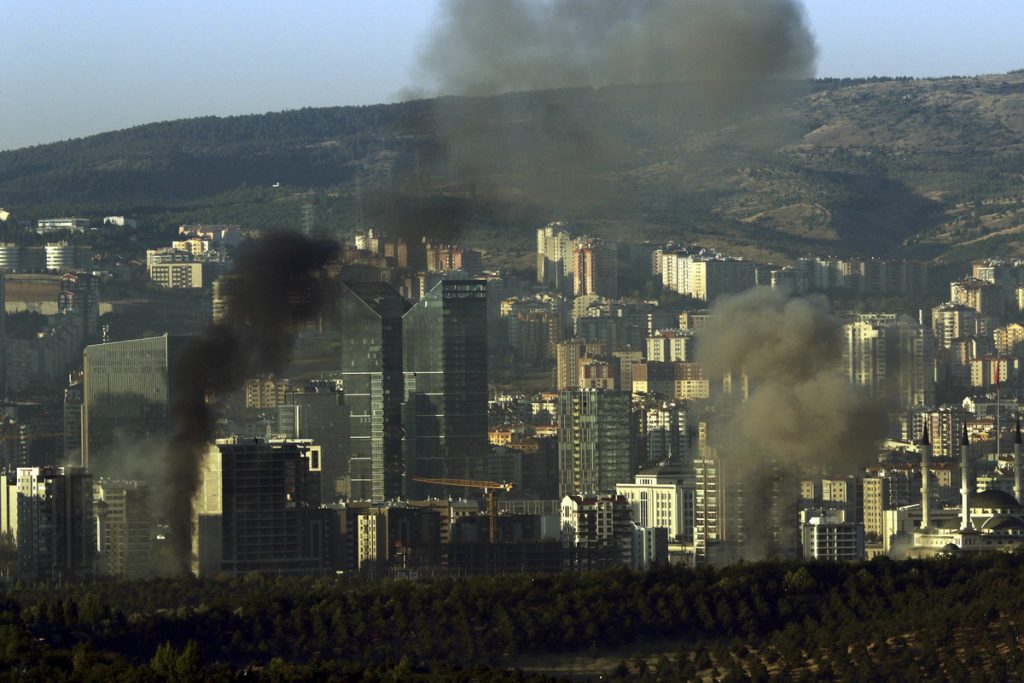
(126, 400)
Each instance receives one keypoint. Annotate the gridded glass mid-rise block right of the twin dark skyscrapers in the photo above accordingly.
(594, 442)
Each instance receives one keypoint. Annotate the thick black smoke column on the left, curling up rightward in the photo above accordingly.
(278, 284)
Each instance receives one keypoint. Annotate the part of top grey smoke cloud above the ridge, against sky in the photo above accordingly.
(492, 47)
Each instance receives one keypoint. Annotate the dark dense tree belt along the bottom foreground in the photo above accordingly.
(875, 621)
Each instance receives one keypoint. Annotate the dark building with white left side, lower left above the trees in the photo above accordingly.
(57, 538)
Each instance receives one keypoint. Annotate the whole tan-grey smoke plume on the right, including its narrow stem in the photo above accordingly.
(802, 417)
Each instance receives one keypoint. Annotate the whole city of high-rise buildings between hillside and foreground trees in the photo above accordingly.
(405, 458)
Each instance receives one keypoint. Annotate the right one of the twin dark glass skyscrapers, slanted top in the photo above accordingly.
(446, 370)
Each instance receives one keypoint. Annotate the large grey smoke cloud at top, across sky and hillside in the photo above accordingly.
(582, 151)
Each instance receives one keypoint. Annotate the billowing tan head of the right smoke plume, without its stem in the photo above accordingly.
(802, 410)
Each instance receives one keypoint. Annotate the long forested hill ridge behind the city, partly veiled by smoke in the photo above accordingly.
(925, 168)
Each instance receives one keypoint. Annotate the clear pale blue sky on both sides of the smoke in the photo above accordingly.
(71, 68)
